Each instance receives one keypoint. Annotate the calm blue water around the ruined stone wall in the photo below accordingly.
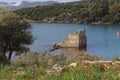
(101, 39)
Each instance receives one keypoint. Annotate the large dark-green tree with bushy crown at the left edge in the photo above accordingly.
(14, 34)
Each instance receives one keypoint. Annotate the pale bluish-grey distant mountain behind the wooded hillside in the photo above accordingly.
(25, 4)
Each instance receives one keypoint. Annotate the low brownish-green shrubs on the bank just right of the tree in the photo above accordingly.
(32, 58)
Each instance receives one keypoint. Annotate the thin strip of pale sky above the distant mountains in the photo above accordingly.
(37, 0)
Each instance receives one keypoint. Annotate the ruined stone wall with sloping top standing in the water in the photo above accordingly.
(74, 40)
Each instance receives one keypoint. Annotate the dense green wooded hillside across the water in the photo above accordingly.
(85, 11)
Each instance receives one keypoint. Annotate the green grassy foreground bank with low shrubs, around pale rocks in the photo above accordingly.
(22, 69)
